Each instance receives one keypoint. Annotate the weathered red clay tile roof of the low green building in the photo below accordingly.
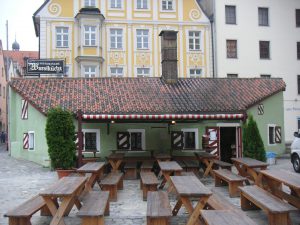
(146, 95)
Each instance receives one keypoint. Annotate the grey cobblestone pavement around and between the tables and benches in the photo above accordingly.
(20, 180)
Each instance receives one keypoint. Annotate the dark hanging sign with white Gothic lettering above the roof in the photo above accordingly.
(45, 66)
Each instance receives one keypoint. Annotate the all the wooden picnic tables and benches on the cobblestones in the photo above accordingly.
(168, 191)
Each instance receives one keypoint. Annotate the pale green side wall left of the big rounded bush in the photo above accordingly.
(36, 122)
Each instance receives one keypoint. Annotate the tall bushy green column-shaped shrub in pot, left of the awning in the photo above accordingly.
(60, 135)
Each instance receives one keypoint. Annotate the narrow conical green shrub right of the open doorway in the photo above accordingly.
(252, 143)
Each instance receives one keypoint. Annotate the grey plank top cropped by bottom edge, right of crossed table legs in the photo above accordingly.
(225, 217)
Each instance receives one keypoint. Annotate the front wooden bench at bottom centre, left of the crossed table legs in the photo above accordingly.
(158, 208)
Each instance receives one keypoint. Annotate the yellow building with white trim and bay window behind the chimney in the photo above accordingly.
(107, 38)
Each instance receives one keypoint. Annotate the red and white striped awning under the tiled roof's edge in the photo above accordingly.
(162, 116)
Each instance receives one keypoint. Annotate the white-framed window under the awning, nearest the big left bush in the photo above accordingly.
(91, 139)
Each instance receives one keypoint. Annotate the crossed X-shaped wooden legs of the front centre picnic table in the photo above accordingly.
(194, 212)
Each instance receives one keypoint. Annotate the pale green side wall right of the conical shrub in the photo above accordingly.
(273, 114)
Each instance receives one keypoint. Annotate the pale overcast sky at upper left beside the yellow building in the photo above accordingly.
(19, 15)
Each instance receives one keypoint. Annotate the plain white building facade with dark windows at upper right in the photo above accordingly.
(259, 38)
